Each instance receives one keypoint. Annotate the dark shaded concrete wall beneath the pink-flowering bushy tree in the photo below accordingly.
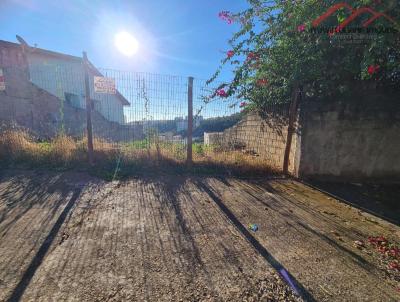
(351, 141)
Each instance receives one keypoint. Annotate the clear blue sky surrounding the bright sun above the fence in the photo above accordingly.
(179, 37)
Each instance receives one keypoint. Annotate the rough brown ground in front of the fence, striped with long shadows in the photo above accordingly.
(71, 237)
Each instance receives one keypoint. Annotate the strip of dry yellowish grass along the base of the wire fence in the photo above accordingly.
(18, 147)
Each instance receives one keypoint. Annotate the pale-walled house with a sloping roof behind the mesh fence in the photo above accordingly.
(63, 76)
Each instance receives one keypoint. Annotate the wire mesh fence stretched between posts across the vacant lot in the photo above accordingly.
(141, 119)
